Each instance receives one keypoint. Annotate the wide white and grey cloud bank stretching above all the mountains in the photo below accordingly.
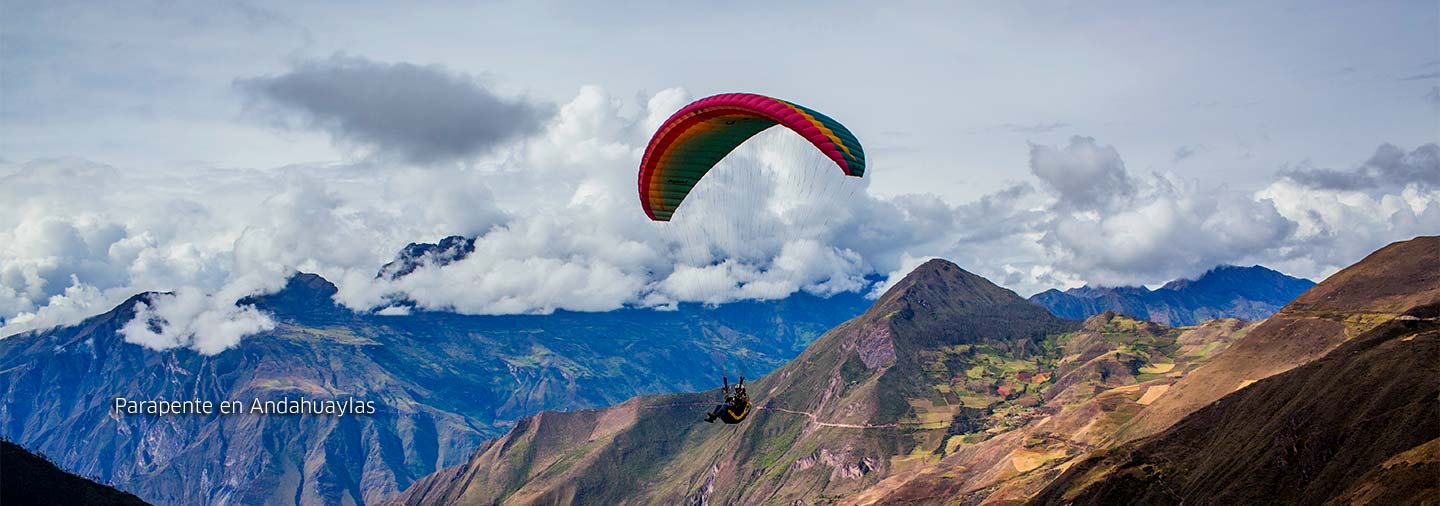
(549, 197)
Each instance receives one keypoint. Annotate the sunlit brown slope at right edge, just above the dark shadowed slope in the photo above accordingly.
(1390, 282)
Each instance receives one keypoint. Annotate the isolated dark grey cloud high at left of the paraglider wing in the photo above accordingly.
(415, 113)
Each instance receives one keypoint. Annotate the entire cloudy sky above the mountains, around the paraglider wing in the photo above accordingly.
(211, 151)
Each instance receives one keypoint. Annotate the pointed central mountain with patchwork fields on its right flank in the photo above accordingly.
(944, 368)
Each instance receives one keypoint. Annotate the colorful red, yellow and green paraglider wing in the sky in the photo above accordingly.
(698, 136)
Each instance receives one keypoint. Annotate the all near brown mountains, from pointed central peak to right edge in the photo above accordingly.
(951, 390)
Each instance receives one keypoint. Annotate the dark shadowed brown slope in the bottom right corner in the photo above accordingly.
(1353, 423)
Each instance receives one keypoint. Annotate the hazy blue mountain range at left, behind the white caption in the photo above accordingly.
(441, 383)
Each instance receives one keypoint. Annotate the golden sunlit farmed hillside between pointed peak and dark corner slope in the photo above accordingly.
(1108, 371)
